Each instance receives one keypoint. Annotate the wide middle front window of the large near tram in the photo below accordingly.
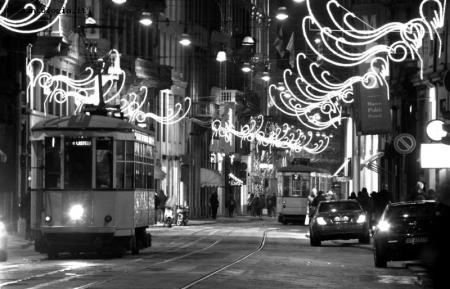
(78, 163)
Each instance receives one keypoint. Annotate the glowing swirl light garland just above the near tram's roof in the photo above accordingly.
(85, 91)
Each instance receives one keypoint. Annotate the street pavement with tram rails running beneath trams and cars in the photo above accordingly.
(242, 252)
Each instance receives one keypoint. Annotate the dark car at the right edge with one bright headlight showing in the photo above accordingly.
(405, 228)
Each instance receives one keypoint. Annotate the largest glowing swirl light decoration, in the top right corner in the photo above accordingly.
(411, 33)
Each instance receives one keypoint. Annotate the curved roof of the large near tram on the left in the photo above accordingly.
(87, 123)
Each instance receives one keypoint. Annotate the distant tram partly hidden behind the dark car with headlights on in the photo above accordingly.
(294, 186)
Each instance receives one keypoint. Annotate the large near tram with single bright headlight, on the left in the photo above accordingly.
(92, 187)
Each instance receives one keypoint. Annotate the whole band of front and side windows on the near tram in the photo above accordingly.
(97, 162)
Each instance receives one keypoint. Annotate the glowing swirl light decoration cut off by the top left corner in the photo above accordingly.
(17, 25)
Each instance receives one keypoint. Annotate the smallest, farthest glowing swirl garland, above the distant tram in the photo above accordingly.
(281, 137)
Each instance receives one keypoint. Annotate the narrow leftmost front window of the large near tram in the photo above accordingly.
(53, 162)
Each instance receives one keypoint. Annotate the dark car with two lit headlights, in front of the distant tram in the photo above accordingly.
(339, 220)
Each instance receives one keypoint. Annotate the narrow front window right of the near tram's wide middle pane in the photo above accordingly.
(104, 161)
